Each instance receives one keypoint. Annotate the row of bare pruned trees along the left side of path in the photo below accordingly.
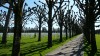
(63, 15)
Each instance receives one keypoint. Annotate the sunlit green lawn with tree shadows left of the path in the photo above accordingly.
(30, 46)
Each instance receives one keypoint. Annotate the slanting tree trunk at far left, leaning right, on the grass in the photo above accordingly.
(5, 30)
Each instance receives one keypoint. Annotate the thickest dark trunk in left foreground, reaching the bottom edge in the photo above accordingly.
(17, 28)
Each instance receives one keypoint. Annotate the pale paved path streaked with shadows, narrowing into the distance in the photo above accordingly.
(72, 48)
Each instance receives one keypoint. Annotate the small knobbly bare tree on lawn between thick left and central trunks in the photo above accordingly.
(39, 12)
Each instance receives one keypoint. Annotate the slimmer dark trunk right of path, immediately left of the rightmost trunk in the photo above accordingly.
(87, 26)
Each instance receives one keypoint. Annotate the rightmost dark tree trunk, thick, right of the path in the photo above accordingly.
(92, 29)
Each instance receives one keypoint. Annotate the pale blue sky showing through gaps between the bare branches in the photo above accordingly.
(31, 4)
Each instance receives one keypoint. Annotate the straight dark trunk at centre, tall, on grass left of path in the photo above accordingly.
(50, 25)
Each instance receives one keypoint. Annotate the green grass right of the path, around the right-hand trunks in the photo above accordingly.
(88, 47)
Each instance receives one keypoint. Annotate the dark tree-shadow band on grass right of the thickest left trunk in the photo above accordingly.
(33, 48)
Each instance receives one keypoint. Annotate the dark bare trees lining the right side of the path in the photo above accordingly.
(89, 13)
